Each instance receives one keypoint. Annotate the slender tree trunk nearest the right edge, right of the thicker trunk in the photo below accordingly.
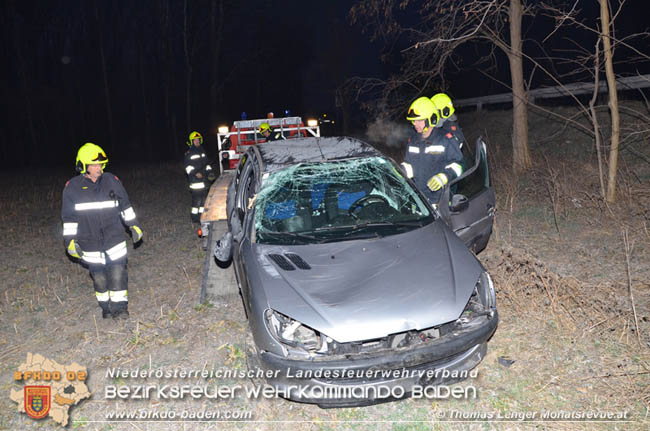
(613, 102)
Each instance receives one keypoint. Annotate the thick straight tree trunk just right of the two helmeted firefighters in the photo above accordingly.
(520, 151)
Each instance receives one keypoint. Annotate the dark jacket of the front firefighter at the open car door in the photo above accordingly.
(439, 153)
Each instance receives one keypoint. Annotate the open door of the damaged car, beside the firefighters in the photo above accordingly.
(467, 202)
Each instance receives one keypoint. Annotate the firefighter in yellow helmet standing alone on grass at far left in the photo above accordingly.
(95, 211)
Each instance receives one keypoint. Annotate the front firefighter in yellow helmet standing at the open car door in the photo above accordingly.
(433, 156)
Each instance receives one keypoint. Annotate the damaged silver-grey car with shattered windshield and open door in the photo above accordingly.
(350, 278)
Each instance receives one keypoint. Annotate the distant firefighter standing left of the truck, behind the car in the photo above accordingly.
(198, 172)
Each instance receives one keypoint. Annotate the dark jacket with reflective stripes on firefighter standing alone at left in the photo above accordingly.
(94, 215)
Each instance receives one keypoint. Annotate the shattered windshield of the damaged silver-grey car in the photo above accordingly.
(336, 201)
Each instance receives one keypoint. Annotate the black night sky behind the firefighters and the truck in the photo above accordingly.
(117, 72)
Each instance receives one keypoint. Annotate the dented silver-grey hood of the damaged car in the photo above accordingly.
(365, 289)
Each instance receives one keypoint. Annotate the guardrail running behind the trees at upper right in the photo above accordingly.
(627, 83)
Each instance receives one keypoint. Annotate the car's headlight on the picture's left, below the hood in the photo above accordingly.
(294, 334)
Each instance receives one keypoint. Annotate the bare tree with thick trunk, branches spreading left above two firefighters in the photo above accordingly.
(444, 26)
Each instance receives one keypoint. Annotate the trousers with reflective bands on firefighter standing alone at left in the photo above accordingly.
(111, 286)
